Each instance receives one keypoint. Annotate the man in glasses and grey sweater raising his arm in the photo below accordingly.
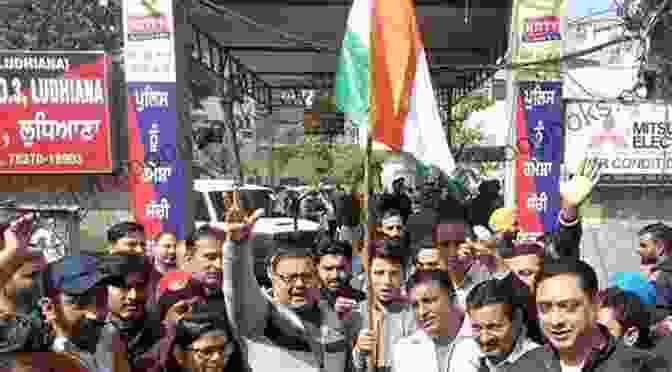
(289, 325)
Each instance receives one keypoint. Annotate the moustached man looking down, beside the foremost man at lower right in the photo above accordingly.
(500, 335)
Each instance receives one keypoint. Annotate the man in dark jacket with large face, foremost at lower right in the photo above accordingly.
(568, 303)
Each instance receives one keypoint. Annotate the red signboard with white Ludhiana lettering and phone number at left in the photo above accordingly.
(54, 112)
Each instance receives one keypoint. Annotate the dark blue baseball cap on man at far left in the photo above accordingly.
(74, 274)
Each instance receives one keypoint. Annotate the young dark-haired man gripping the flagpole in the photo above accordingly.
(393, 317)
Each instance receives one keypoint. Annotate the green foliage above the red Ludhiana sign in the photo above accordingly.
(61, 25)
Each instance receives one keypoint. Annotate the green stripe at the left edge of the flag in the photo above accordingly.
(352, 78)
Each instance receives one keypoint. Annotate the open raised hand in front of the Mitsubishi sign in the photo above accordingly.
(574, 192)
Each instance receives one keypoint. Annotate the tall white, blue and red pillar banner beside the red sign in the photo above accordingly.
(157, 191)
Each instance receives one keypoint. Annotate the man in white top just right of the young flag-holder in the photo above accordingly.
(439, 318)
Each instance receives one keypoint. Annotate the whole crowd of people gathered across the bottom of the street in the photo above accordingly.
(439, 291)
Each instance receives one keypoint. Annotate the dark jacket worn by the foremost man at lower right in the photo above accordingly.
(614, 357)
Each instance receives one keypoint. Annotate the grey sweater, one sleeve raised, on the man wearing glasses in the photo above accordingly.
(266, 329)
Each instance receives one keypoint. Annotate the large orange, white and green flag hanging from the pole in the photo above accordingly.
(383, 82)
